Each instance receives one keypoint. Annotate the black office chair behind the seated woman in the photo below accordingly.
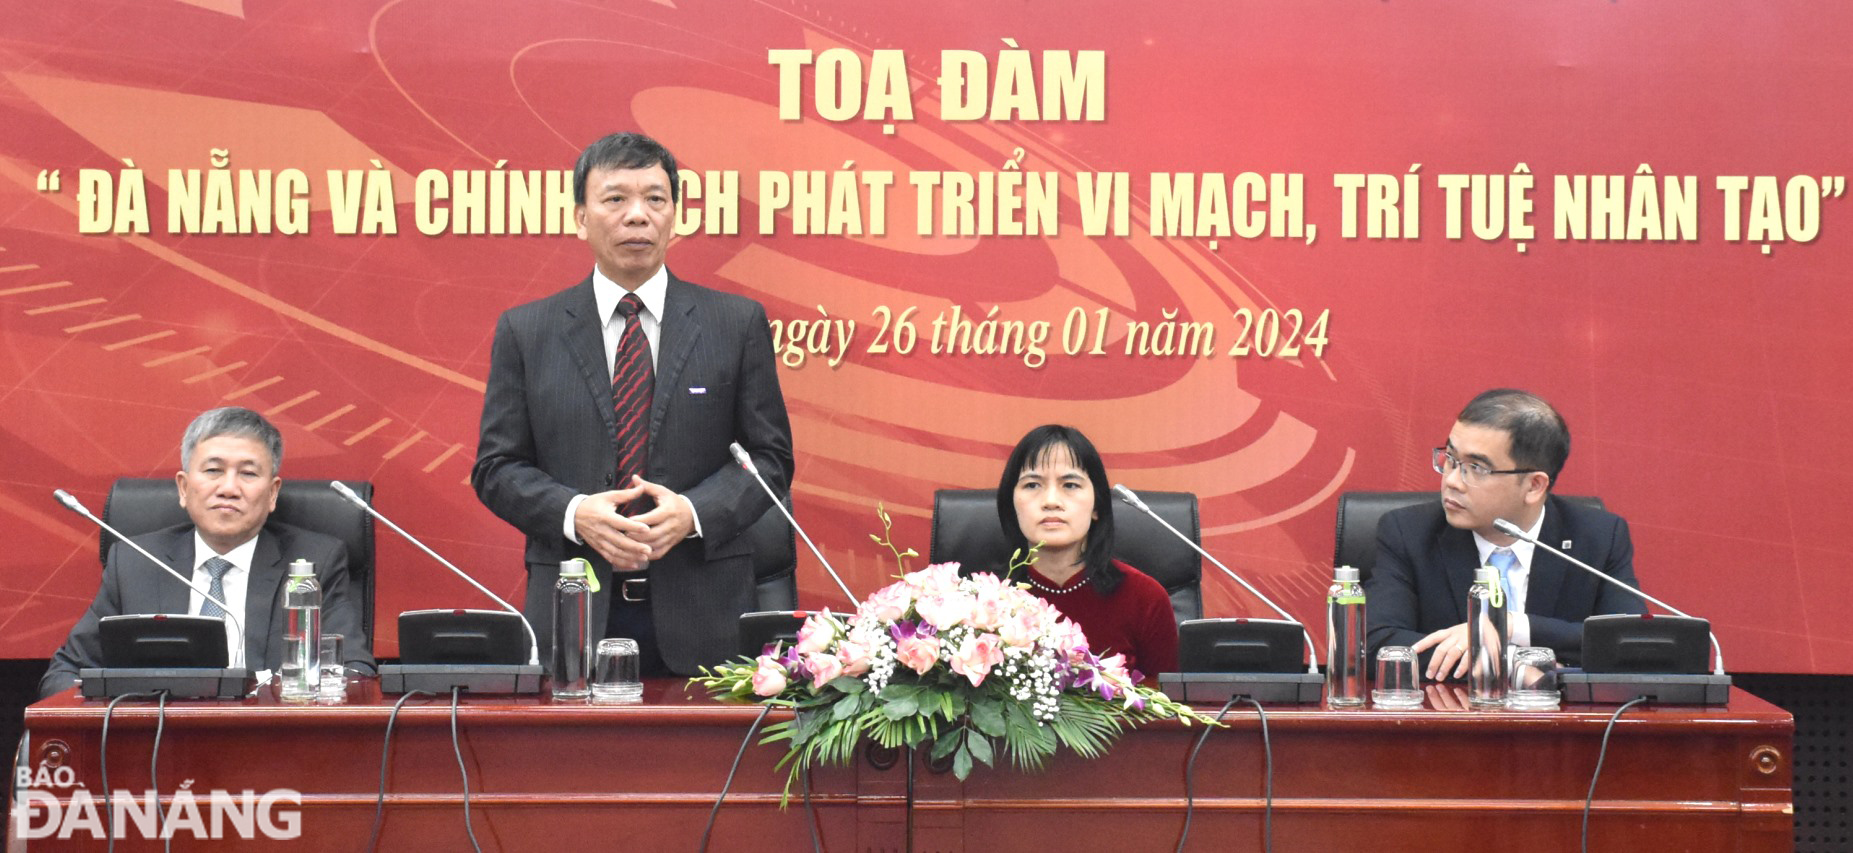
(964, 531)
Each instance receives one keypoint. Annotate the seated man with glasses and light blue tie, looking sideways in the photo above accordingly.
(1500, 463)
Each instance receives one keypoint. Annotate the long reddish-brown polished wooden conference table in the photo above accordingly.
(642, 778)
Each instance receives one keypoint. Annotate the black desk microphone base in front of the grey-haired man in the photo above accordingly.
(184, 656)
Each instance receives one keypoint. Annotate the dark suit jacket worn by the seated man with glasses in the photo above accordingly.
(1424, 570)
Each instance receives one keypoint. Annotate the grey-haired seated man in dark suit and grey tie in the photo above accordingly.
(229, 485)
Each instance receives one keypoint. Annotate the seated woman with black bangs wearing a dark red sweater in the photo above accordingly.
(1055, 492)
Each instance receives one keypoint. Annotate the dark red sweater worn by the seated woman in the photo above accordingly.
(1137, 620)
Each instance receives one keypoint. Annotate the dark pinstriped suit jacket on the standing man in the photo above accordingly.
(549, 435)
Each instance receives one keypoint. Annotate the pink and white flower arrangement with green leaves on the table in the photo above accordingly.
(955, 663)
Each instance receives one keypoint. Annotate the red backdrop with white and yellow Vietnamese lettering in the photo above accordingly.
(1700, 374)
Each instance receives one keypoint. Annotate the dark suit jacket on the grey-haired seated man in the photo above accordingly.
(132, 585)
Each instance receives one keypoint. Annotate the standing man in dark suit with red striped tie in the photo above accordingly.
(609, 416)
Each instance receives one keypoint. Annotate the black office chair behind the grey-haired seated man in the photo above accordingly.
(144, 505)
